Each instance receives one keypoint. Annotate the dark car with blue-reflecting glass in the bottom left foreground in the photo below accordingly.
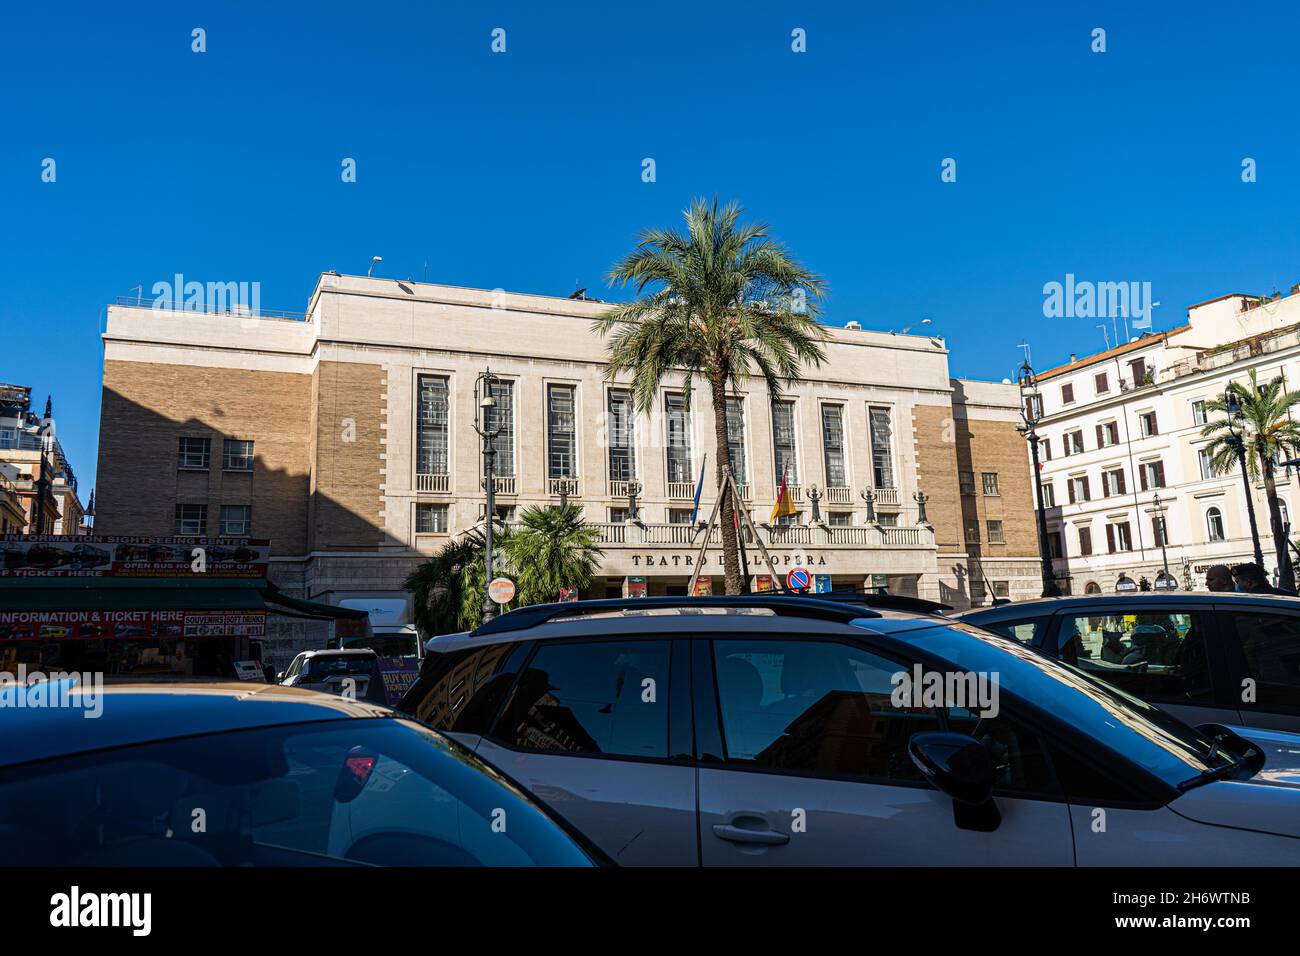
(255, 776)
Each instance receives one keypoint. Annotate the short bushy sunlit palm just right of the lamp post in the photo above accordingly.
(553, 548)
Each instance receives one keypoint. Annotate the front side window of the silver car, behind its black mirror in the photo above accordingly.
(814, 707)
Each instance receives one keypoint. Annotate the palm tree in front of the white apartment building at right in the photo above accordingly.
(1259, 423)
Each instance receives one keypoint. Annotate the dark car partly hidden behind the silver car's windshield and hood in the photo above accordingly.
(1202, 656)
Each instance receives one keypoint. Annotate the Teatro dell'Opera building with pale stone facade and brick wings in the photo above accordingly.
(346, 436)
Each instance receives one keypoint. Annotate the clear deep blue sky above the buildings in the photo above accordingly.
(523, 171)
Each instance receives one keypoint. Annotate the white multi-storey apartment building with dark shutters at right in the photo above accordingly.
(1124, 426)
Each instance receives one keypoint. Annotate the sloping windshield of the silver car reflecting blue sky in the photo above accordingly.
(1121, 723)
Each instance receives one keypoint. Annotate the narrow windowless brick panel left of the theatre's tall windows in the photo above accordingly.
(352, 410)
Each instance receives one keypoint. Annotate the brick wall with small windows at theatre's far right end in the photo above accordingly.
(991, 445)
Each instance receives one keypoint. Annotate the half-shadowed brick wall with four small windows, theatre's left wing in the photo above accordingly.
(148, 408)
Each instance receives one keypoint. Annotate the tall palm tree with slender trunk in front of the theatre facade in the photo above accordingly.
(721, 301)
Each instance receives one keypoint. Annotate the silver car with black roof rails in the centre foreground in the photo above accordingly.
(772, 730)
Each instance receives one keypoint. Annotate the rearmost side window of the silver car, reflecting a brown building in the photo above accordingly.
(462, 690)
